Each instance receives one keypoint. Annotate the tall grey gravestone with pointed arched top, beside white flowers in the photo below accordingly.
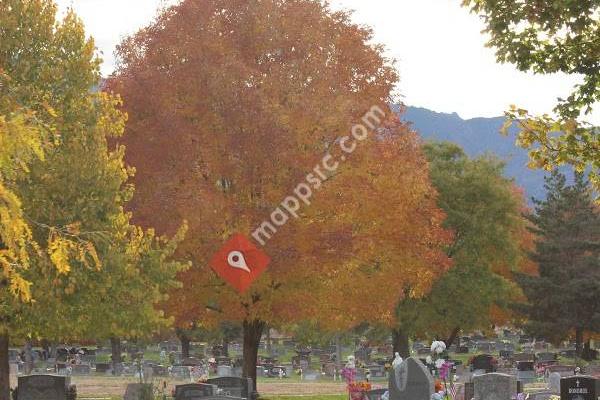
(410, 380)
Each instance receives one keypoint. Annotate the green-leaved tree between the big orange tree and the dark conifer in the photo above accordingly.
(484, 212)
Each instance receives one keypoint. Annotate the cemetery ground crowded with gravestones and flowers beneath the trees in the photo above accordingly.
(431, 369)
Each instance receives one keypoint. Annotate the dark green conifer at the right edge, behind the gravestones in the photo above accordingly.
(564, 296)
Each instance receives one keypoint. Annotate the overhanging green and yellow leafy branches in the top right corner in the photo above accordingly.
(548, 37)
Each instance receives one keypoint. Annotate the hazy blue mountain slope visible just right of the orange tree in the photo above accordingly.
(478, 136)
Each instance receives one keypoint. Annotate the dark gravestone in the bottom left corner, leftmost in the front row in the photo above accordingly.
(43, 387)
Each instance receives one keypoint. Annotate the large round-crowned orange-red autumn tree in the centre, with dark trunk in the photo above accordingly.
(231, 105)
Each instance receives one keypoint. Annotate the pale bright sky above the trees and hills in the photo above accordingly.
(439, 48)
